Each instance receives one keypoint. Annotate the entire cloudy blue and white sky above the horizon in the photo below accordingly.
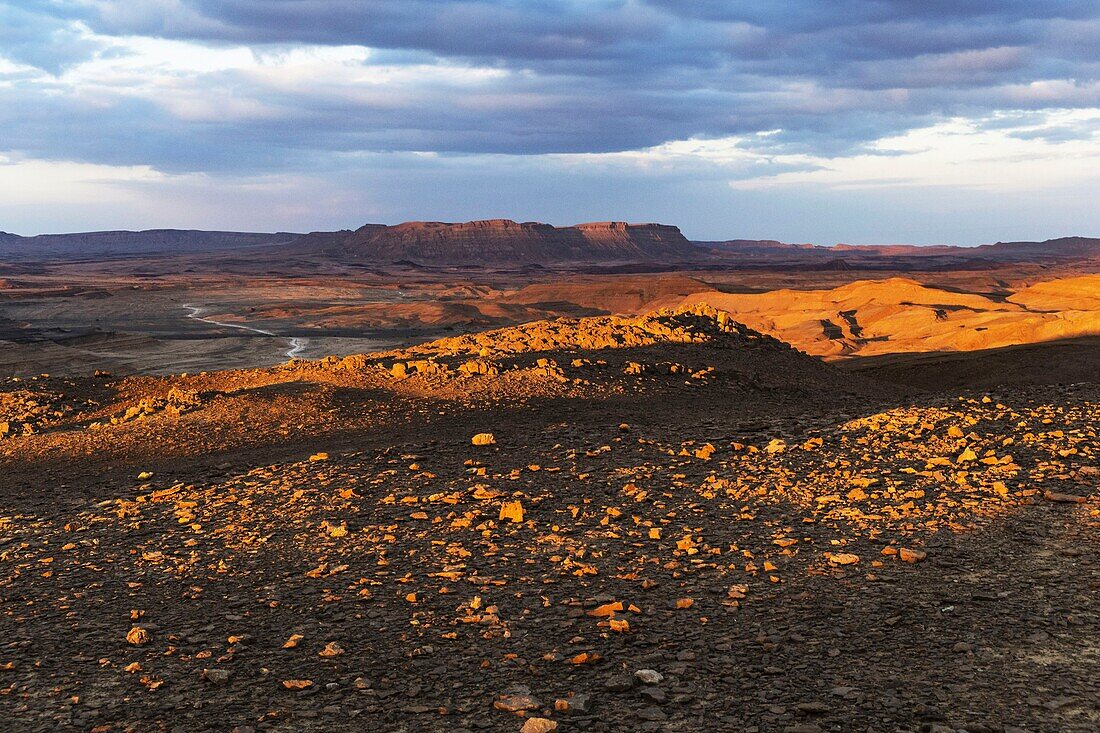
(861, 122)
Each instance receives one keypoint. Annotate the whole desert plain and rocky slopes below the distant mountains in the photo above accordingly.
(588, 496)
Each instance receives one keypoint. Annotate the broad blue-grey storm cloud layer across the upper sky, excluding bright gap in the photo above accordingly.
(579, 76)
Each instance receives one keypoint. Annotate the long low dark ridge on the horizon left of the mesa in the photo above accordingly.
(125, 244)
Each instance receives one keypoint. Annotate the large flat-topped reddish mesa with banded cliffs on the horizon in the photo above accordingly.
(505, 242)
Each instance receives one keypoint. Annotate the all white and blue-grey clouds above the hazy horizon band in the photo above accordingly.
(786, 95)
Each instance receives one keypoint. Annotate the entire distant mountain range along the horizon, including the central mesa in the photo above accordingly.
(498, 243)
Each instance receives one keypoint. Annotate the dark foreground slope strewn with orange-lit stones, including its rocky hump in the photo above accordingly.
(666, 523)
